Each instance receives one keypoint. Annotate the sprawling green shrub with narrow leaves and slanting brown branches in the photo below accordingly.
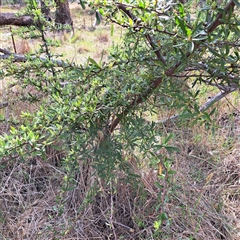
(166, 51)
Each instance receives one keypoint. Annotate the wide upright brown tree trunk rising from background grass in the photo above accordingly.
(63, 15)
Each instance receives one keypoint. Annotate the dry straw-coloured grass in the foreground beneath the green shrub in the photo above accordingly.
(204, 201)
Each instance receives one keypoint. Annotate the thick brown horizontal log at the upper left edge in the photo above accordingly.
(12, 19)
